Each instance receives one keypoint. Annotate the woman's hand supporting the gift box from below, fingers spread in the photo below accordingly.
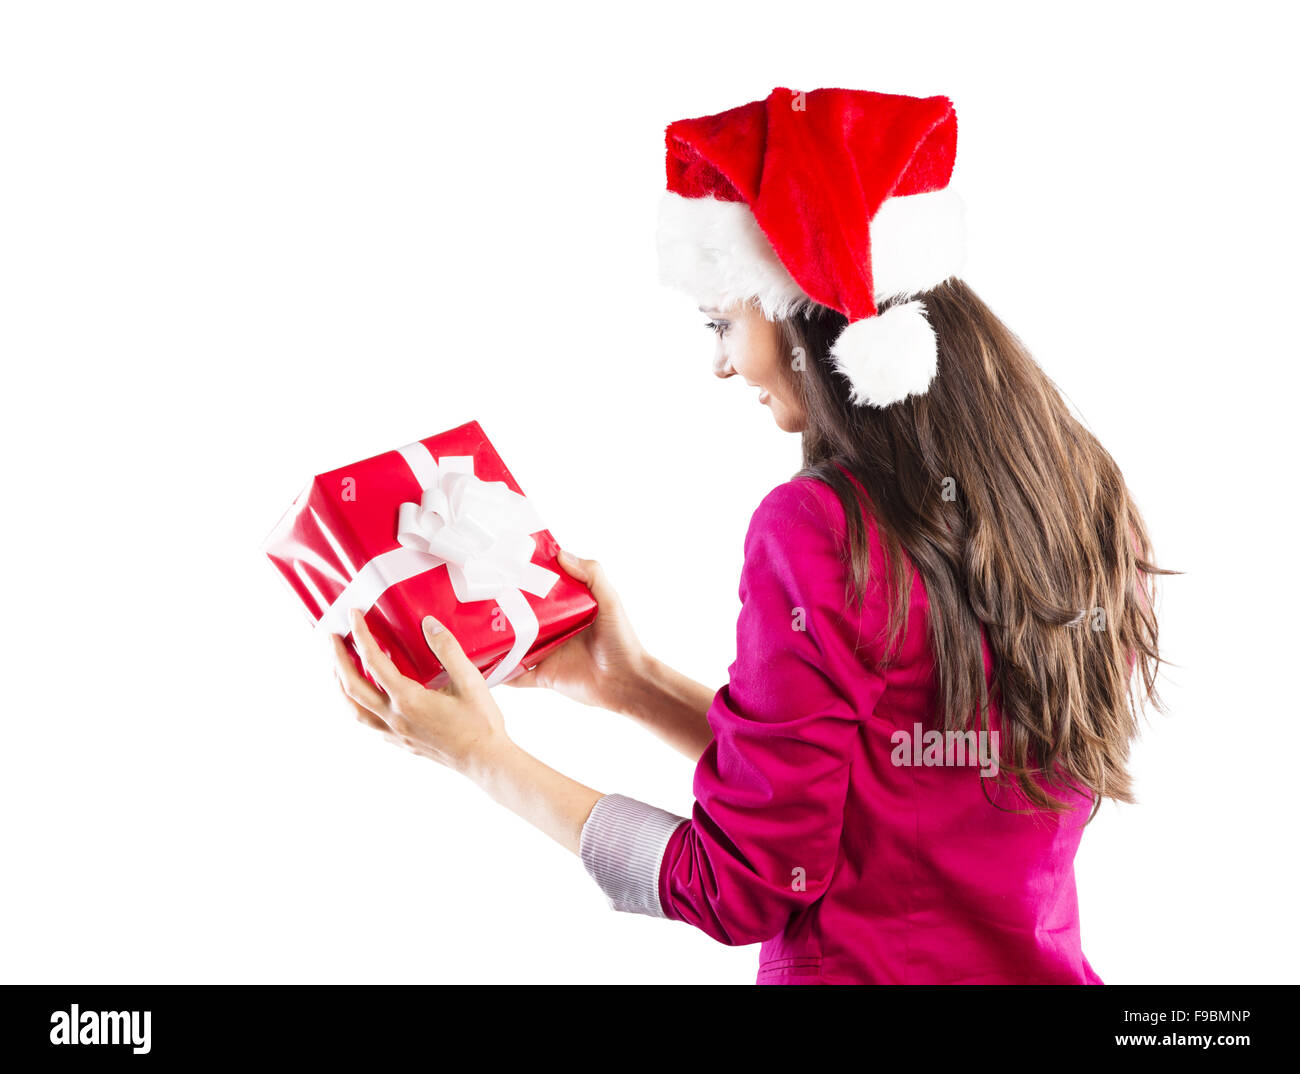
(458, 726)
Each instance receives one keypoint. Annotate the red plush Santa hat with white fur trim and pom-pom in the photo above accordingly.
(831, 197)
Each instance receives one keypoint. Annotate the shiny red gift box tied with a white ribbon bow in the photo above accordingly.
(439, 529)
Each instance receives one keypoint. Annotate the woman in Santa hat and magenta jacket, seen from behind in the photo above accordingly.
(941, 613)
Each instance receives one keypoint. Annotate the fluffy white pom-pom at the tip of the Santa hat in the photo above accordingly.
(890, 357)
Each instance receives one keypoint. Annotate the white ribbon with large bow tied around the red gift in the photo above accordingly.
(480, 531)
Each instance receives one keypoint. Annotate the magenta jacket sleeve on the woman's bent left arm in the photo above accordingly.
(770, 791)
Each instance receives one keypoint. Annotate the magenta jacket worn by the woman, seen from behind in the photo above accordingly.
(808, 837)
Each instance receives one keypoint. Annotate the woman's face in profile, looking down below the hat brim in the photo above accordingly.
(751, 347)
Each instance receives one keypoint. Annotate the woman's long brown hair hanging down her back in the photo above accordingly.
(1020, 525)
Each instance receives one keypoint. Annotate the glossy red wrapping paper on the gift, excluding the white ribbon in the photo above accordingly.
(349, 517)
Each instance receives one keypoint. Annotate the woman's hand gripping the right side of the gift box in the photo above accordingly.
(601, 665)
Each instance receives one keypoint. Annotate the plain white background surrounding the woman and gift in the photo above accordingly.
(244, 244)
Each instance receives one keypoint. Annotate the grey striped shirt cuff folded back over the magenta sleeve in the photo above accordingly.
(622, 847)
